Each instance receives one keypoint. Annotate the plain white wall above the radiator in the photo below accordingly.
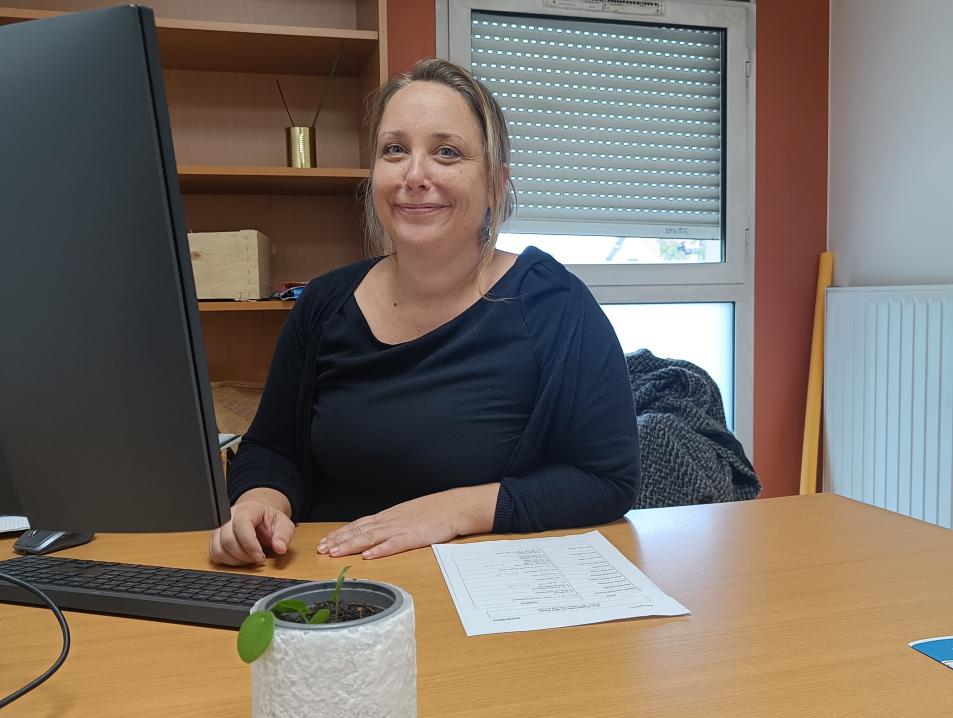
(890, 202)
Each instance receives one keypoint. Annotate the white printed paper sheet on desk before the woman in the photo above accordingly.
(530, 584)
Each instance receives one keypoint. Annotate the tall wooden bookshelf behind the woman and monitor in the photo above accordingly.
(220, 62)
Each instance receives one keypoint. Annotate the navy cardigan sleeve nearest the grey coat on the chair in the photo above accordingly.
(578, 463)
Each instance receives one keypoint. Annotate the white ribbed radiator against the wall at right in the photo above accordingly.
(888, 398)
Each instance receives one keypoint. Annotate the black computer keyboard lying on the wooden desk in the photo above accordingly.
(211, 598)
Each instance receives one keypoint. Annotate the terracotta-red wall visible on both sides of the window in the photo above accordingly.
(790, 208)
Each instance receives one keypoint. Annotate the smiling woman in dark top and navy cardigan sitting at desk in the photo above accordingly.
(444, 388)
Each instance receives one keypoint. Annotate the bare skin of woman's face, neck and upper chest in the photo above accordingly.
(430, 200)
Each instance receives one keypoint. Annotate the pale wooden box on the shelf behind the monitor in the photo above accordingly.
(231, 265)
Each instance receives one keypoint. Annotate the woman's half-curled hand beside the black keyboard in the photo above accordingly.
(260, 521)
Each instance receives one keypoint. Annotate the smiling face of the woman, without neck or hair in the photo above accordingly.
(429, 183)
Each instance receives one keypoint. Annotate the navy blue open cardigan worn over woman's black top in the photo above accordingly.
(576, 463)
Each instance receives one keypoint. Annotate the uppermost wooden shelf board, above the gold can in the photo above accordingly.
(241, 47)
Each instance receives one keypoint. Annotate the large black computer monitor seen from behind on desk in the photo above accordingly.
(106, 420)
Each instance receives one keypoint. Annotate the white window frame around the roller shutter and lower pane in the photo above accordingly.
(729, 281)
